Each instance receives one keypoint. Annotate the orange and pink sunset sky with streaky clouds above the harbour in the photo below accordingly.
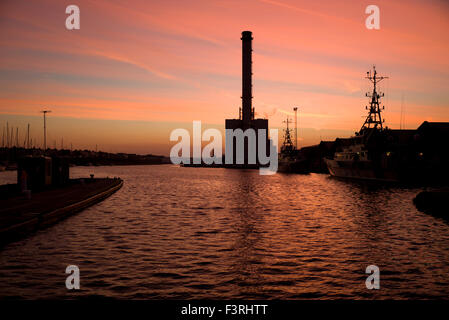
(138, 69)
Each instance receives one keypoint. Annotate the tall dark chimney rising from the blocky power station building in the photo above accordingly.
(247, 78)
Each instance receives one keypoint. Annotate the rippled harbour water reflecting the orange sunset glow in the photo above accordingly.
(193, 233)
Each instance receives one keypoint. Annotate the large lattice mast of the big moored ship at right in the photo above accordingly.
(374, 119)
